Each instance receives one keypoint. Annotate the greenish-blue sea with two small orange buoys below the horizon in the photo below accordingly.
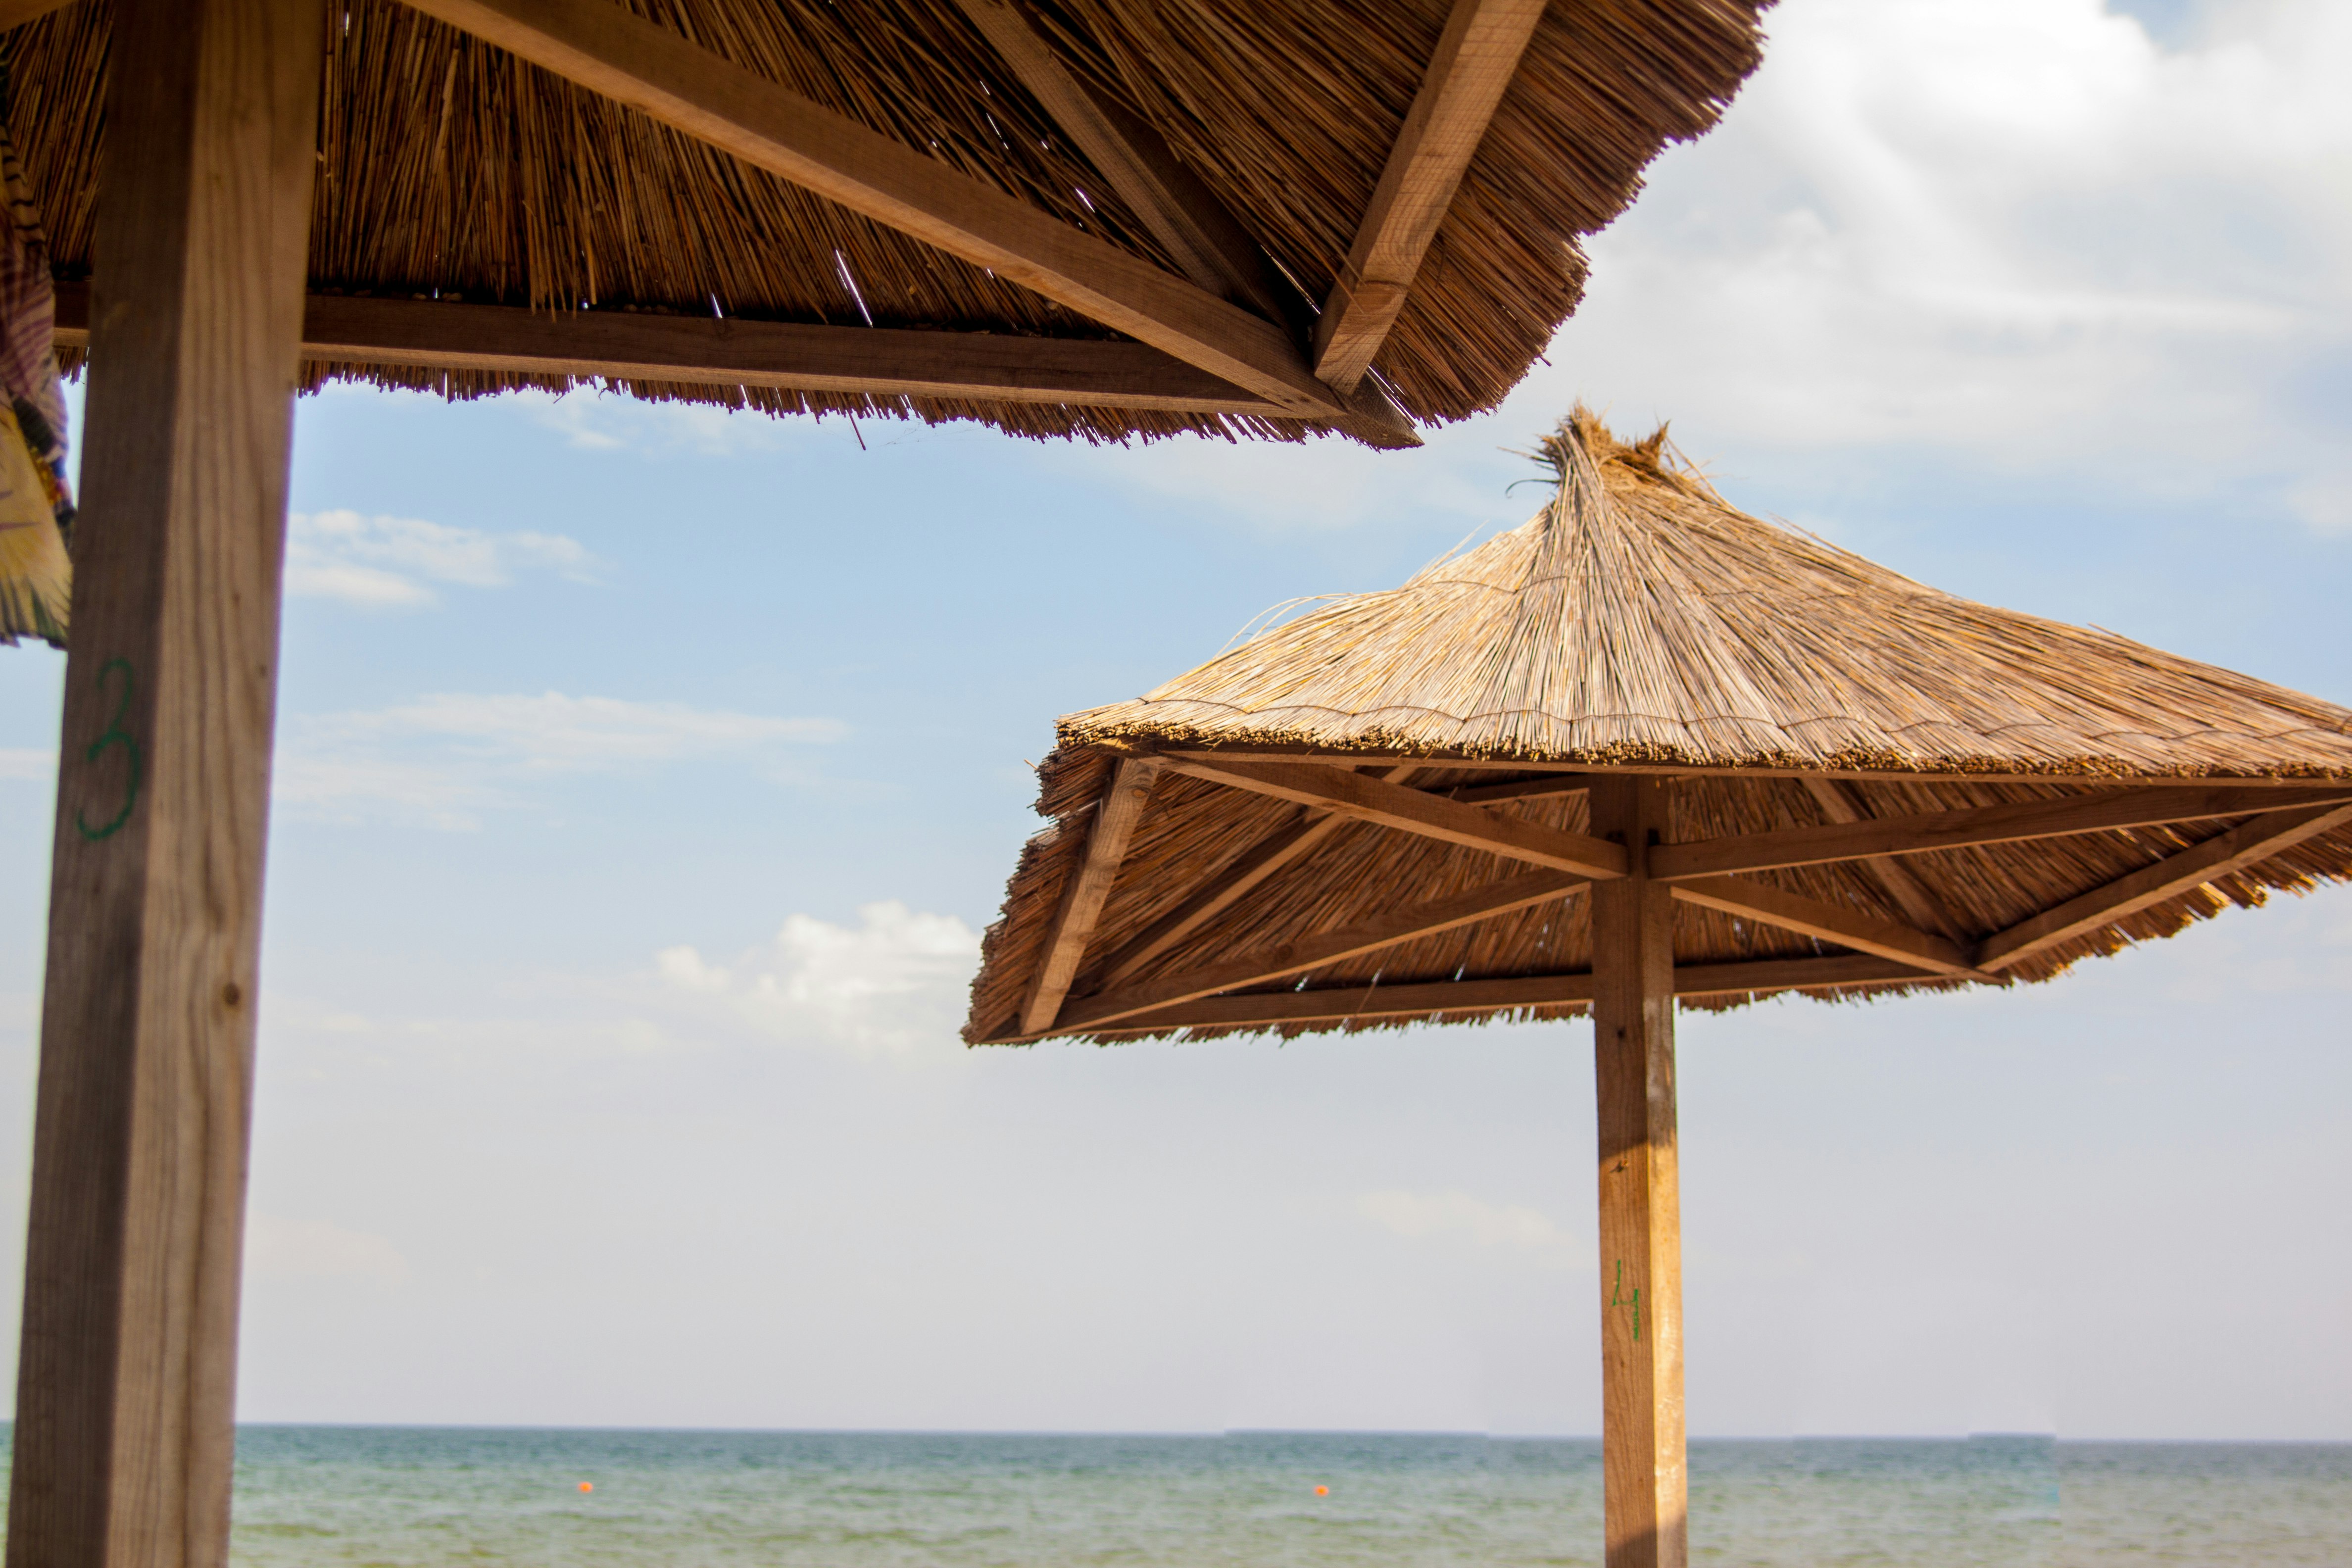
(486, 1499)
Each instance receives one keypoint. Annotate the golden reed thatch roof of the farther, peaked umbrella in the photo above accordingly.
(1645, 624)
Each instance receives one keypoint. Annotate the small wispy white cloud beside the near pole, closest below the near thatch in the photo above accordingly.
(399, 561)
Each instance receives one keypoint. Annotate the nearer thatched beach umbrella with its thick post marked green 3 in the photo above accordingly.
(1060, 217)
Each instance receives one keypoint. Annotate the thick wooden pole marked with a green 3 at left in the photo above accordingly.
(131, 1313)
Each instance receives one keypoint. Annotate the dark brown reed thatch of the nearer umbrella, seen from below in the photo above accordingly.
(450, 170)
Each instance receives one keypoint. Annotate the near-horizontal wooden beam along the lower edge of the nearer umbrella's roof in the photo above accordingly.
(733, 351)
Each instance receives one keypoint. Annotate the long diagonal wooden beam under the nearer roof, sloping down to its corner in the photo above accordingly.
(615, 53)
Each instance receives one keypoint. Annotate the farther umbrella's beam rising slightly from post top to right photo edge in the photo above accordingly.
(1932, 831)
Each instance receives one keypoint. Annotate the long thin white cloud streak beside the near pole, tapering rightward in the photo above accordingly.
(446, 758)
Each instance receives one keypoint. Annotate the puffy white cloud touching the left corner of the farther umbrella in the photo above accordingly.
(893, 981)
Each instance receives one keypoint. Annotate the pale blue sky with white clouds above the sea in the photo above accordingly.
(646, 779)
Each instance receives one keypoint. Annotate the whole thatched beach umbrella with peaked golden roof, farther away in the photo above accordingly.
(1643, 751)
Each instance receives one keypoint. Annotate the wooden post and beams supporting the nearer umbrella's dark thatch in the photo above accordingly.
(199, 326)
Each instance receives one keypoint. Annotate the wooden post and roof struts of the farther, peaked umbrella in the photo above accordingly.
(1633, 876)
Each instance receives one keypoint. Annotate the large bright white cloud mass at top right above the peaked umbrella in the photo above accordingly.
(2017, 234)
